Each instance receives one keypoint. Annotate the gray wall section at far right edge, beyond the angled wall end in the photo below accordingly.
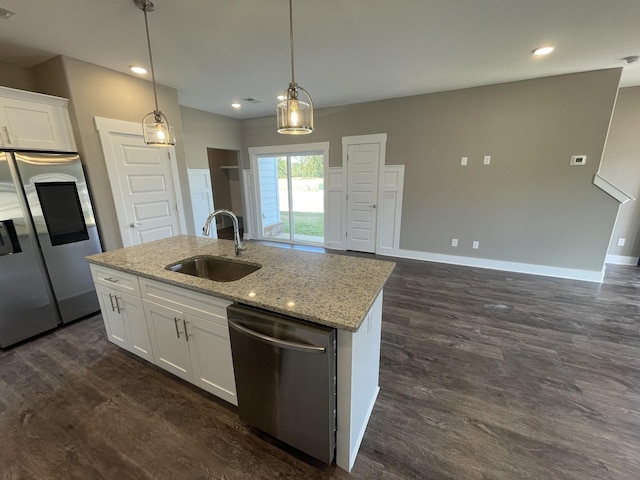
(621, 166)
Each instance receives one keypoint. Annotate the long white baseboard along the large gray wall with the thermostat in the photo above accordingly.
(516, 267)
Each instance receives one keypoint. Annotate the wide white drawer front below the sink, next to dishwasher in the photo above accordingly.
(205, 306)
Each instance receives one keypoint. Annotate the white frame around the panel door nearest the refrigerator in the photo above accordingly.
(108, 126)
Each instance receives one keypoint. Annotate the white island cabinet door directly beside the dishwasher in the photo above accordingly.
(210, 350)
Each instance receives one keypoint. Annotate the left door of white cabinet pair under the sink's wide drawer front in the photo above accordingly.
(168, 337)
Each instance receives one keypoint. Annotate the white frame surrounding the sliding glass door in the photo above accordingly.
(252, 184)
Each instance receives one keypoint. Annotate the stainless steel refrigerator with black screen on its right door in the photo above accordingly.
(47, 227)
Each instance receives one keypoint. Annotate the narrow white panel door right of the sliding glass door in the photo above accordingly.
(363, 163)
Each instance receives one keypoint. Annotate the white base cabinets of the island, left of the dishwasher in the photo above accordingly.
(183, 332)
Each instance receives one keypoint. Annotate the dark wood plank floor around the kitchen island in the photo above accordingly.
(484, 375)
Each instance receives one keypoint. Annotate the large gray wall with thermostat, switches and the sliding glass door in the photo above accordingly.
(529, 205)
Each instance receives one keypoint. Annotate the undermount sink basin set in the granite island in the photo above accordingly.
(214, 268)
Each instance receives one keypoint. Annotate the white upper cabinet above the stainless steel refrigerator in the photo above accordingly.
(34, 121)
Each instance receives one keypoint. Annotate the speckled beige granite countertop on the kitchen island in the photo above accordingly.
(329, 289)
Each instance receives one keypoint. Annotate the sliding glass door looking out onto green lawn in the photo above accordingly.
(291, 197)
